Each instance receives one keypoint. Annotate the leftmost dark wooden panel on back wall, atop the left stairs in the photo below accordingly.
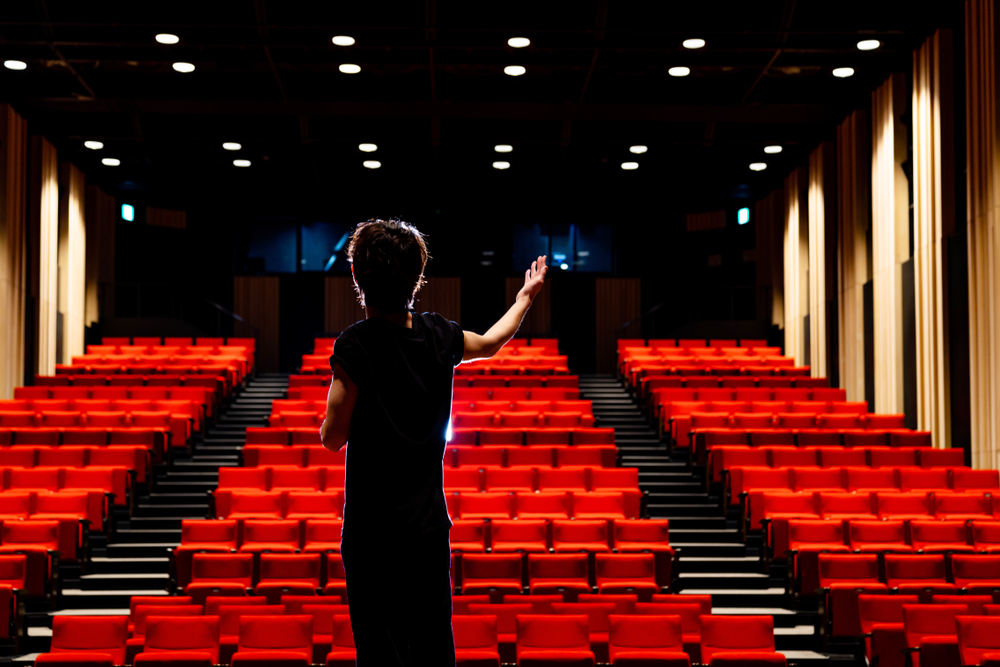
(257, 300)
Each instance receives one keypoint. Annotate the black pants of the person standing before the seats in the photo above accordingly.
(400, 599)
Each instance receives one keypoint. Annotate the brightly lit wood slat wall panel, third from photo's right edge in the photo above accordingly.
(890, 239)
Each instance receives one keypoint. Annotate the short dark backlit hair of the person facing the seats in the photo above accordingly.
(389, 257)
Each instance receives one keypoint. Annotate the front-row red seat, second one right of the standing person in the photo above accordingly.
(543, 639)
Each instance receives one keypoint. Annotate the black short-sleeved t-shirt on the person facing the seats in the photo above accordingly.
(395, 450)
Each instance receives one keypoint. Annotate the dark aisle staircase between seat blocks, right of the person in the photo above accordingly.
(713, 558)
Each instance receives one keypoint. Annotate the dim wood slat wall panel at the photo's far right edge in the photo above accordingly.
(983, 200)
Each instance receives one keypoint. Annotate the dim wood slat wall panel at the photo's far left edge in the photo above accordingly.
(13, 248)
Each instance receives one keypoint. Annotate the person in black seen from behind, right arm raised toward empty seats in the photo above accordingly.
(390, 402)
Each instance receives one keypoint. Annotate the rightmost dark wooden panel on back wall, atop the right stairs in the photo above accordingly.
(617, 301)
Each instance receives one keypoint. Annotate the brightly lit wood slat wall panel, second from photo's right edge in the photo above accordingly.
(933, 206)
